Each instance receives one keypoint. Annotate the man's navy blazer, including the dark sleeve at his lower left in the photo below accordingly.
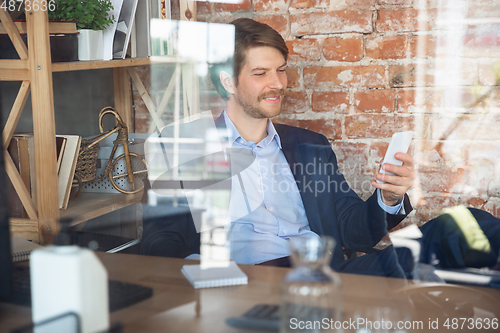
(332, 208)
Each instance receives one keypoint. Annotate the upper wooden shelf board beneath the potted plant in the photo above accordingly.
(129, 62)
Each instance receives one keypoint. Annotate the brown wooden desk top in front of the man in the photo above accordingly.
(177, 307)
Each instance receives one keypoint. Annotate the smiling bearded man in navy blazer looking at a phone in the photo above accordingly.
(280, 196)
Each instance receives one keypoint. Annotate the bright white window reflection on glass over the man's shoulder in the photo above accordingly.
(188, 160)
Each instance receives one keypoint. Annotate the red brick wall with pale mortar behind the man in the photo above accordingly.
(360, 70)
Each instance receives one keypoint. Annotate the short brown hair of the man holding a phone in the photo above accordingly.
(248, 34)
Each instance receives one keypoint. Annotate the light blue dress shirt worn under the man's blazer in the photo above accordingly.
(266, 208)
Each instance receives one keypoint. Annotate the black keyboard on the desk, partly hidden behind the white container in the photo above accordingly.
(121, 294)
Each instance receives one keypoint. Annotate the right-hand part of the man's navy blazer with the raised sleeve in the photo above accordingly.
(337, 211)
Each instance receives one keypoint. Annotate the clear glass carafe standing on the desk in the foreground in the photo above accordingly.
(311, 299)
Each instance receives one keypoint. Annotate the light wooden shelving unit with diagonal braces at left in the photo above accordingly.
(35, 70)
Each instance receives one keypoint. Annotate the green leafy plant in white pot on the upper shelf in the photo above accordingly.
(92, 17)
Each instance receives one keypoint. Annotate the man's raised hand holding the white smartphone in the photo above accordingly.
(395, 186)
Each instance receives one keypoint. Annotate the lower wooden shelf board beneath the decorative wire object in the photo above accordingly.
(91, 205)
